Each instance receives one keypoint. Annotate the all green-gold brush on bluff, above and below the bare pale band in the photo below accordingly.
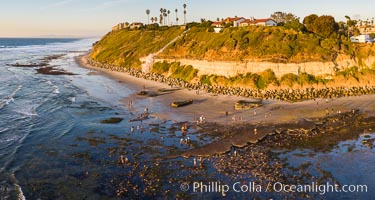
(318, 39)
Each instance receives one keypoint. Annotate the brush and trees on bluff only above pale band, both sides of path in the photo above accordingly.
(292, 42)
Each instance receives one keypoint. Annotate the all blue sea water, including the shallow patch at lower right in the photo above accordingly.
(54, 146)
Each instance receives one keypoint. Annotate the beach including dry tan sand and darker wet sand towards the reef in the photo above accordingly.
(253, 125)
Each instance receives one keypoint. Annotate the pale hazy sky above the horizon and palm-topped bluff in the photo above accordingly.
(92, 18)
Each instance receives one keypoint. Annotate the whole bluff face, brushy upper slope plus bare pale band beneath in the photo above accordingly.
(234, 51)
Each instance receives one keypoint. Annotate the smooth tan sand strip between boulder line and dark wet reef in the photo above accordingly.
(215, 107)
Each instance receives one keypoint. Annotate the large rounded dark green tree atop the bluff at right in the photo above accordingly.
(324, 25)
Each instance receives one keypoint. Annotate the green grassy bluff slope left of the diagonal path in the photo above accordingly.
(125, 47)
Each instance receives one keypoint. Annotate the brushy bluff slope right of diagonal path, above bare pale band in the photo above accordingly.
(273, 44)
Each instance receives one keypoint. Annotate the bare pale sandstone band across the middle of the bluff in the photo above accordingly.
(232, 68)
